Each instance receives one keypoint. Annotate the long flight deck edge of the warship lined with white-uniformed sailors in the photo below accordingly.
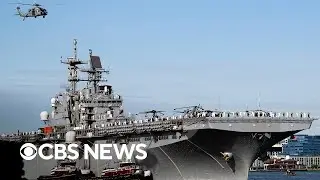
(174, 123)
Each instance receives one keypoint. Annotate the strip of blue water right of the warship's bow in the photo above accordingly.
(281, 176)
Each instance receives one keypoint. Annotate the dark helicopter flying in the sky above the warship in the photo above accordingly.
(35, 11)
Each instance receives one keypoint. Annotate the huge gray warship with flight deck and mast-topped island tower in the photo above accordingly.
(195, 144)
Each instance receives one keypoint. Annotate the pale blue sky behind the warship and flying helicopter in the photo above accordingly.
(165, 54)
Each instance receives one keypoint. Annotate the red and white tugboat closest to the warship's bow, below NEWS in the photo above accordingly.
(127, 170)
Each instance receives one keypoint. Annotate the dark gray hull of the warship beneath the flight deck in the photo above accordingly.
(195, 158)
